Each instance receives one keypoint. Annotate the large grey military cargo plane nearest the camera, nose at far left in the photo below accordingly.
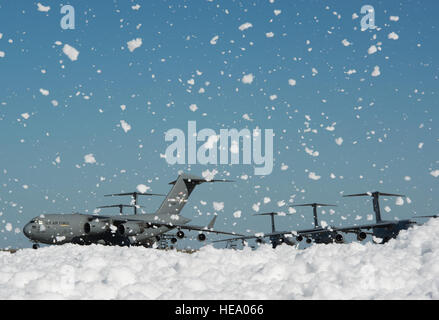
(123, 230)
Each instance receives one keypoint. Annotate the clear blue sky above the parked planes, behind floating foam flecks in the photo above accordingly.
(387, 123)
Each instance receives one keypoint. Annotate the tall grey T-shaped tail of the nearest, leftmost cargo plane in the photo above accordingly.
(180, 192)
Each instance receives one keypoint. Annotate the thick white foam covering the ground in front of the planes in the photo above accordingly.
(405, 268)
